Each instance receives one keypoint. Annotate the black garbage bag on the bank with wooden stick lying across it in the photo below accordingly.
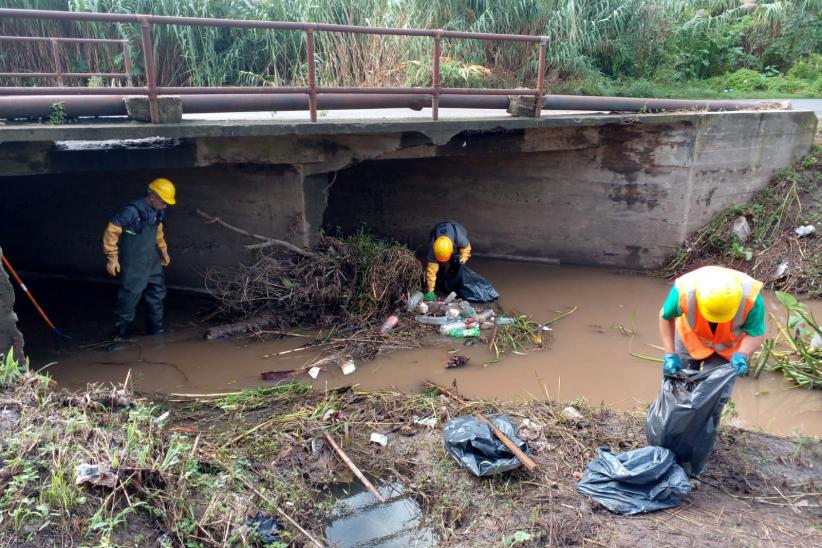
(475, 447)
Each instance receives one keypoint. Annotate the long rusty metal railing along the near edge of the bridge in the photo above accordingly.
(153, 91)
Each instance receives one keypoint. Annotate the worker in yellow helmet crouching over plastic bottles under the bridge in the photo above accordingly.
(448, 250)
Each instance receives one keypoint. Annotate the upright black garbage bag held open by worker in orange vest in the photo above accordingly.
(685, 416)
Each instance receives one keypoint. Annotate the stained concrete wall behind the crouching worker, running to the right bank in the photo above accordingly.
(622, 195)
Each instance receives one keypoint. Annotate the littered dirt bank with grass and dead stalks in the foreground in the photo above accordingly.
(198, 473)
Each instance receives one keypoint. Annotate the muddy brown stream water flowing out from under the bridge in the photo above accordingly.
(589, 357)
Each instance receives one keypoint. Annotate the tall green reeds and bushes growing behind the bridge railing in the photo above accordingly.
(664, 48)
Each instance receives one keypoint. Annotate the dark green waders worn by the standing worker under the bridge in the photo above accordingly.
(141, 275)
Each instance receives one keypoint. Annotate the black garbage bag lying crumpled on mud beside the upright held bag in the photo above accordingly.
(642, 480)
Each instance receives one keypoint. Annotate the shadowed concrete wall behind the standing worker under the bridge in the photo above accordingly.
(56, 224)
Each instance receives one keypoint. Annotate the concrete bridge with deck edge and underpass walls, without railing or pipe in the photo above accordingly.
(599, 189)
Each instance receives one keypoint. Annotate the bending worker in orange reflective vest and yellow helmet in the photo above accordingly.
(712, 316)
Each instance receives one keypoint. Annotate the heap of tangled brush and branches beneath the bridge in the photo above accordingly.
(353, 281)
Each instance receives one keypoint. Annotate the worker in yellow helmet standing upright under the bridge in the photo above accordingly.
(135, 246)
